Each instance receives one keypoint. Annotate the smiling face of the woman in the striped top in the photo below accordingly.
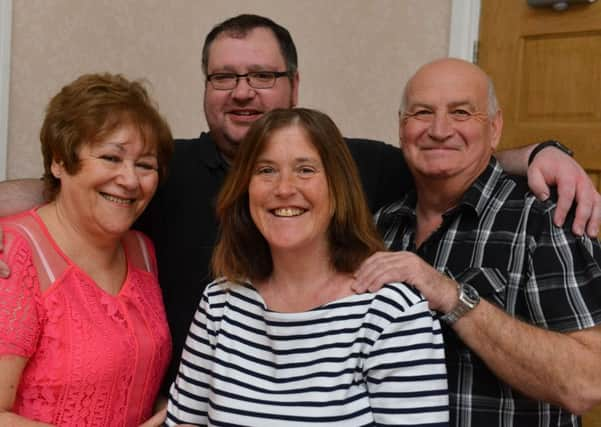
(288, 194)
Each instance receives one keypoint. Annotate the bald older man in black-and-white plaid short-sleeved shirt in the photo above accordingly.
(519, 296)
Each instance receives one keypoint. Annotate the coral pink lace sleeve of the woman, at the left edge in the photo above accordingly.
(19, 300)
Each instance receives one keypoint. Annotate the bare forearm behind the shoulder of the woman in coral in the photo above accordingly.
(20, 195)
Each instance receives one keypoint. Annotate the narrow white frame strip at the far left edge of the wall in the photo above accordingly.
(5, 37)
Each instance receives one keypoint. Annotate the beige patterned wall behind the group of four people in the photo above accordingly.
(354, 56)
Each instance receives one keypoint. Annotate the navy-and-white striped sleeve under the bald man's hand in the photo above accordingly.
(405, 370)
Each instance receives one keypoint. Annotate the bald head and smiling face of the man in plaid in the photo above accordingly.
(446, 131)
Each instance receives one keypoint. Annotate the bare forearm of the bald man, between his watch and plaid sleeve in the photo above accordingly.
(542, 364)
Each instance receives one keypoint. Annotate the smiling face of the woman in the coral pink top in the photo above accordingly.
(115, 182)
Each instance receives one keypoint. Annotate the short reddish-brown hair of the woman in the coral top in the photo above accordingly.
(90, 108)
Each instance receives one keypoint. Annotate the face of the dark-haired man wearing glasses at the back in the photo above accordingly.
(230, 113)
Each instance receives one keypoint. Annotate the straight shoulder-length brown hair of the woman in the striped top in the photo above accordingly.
(242, 252)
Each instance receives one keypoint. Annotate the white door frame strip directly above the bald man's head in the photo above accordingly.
(463, 34)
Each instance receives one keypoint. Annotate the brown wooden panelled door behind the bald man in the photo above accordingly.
(546, 66)
